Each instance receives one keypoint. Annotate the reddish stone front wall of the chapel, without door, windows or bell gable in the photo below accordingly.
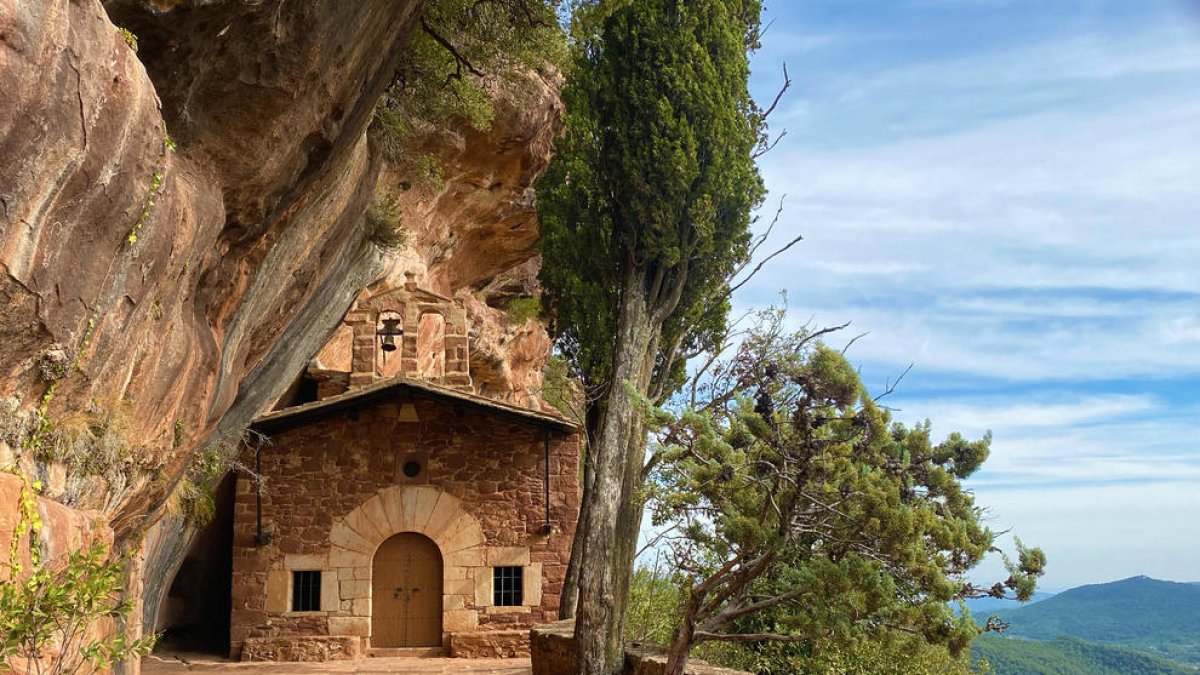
(333, 489)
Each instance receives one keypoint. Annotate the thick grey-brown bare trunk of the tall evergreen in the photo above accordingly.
(599, 649)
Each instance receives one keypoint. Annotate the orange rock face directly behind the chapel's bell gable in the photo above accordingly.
(472, 232)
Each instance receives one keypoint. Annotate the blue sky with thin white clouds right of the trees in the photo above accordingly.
(1007, 195)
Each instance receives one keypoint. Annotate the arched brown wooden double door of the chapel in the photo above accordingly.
(406, 594)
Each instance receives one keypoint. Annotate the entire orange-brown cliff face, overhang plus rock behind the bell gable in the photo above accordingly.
(182, 228)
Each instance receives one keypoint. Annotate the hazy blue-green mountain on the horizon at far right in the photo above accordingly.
(1155, 617)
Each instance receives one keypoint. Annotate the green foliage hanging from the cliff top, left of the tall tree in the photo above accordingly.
(441, 80)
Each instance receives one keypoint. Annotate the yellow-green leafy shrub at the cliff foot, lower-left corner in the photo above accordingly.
(53, 614)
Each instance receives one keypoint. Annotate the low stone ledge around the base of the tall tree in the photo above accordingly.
(553, 652)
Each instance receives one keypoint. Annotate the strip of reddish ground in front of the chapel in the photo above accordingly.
(173, 664)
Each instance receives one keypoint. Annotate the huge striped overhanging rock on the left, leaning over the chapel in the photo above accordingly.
(189, 231)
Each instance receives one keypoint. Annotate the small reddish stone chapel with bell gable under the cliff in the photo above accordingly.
(398, 511)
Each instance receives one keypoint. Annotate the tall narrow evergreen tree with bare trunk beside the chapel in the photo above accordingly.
(645, 213)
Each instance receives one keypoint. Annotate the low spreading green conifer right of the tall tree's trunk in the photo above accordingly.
(790, 486)
